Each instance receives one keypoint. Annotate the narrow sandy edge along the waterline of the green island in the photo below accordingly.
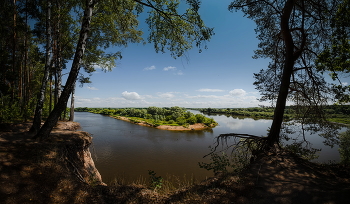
(197, 126)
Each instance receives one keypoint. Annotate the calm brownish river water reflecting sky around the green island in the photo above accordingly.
(124, 150)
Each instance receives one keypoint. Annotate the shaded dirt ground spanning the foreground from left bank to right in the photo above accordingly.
(38, 172)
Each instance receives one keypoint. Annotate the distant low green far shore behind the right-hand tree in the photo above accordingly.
(335, 113)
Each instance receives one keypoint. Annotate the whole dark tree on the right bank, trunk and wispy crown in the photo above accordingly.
(292, 34)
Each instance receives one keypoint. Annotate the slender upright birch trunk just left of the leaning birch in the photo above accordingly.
(41, 97)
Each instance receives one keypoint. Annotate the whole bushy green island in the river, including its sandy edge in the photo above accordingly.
(173, 118)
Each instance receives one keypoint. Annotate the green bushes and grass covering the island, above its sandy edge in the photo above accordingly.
(175, 116)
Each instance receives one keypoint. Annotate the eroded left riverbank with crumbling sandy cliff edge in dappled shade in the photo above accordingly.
(57, 170)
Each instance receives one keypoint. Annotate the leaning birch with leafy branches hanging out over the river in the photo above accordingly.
(118, 23)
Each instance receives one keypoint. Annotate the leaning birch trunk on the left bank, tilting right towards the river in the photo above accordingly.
(51, 121)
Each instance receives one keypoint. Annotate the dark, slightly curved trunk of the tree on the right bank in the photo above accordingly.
(274, 134)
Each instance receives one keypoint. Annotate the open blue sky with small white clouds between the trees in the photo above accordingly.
(221, 76)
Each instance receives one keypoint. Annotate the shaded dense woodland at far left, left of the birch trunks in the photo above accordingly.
(20, 59)
